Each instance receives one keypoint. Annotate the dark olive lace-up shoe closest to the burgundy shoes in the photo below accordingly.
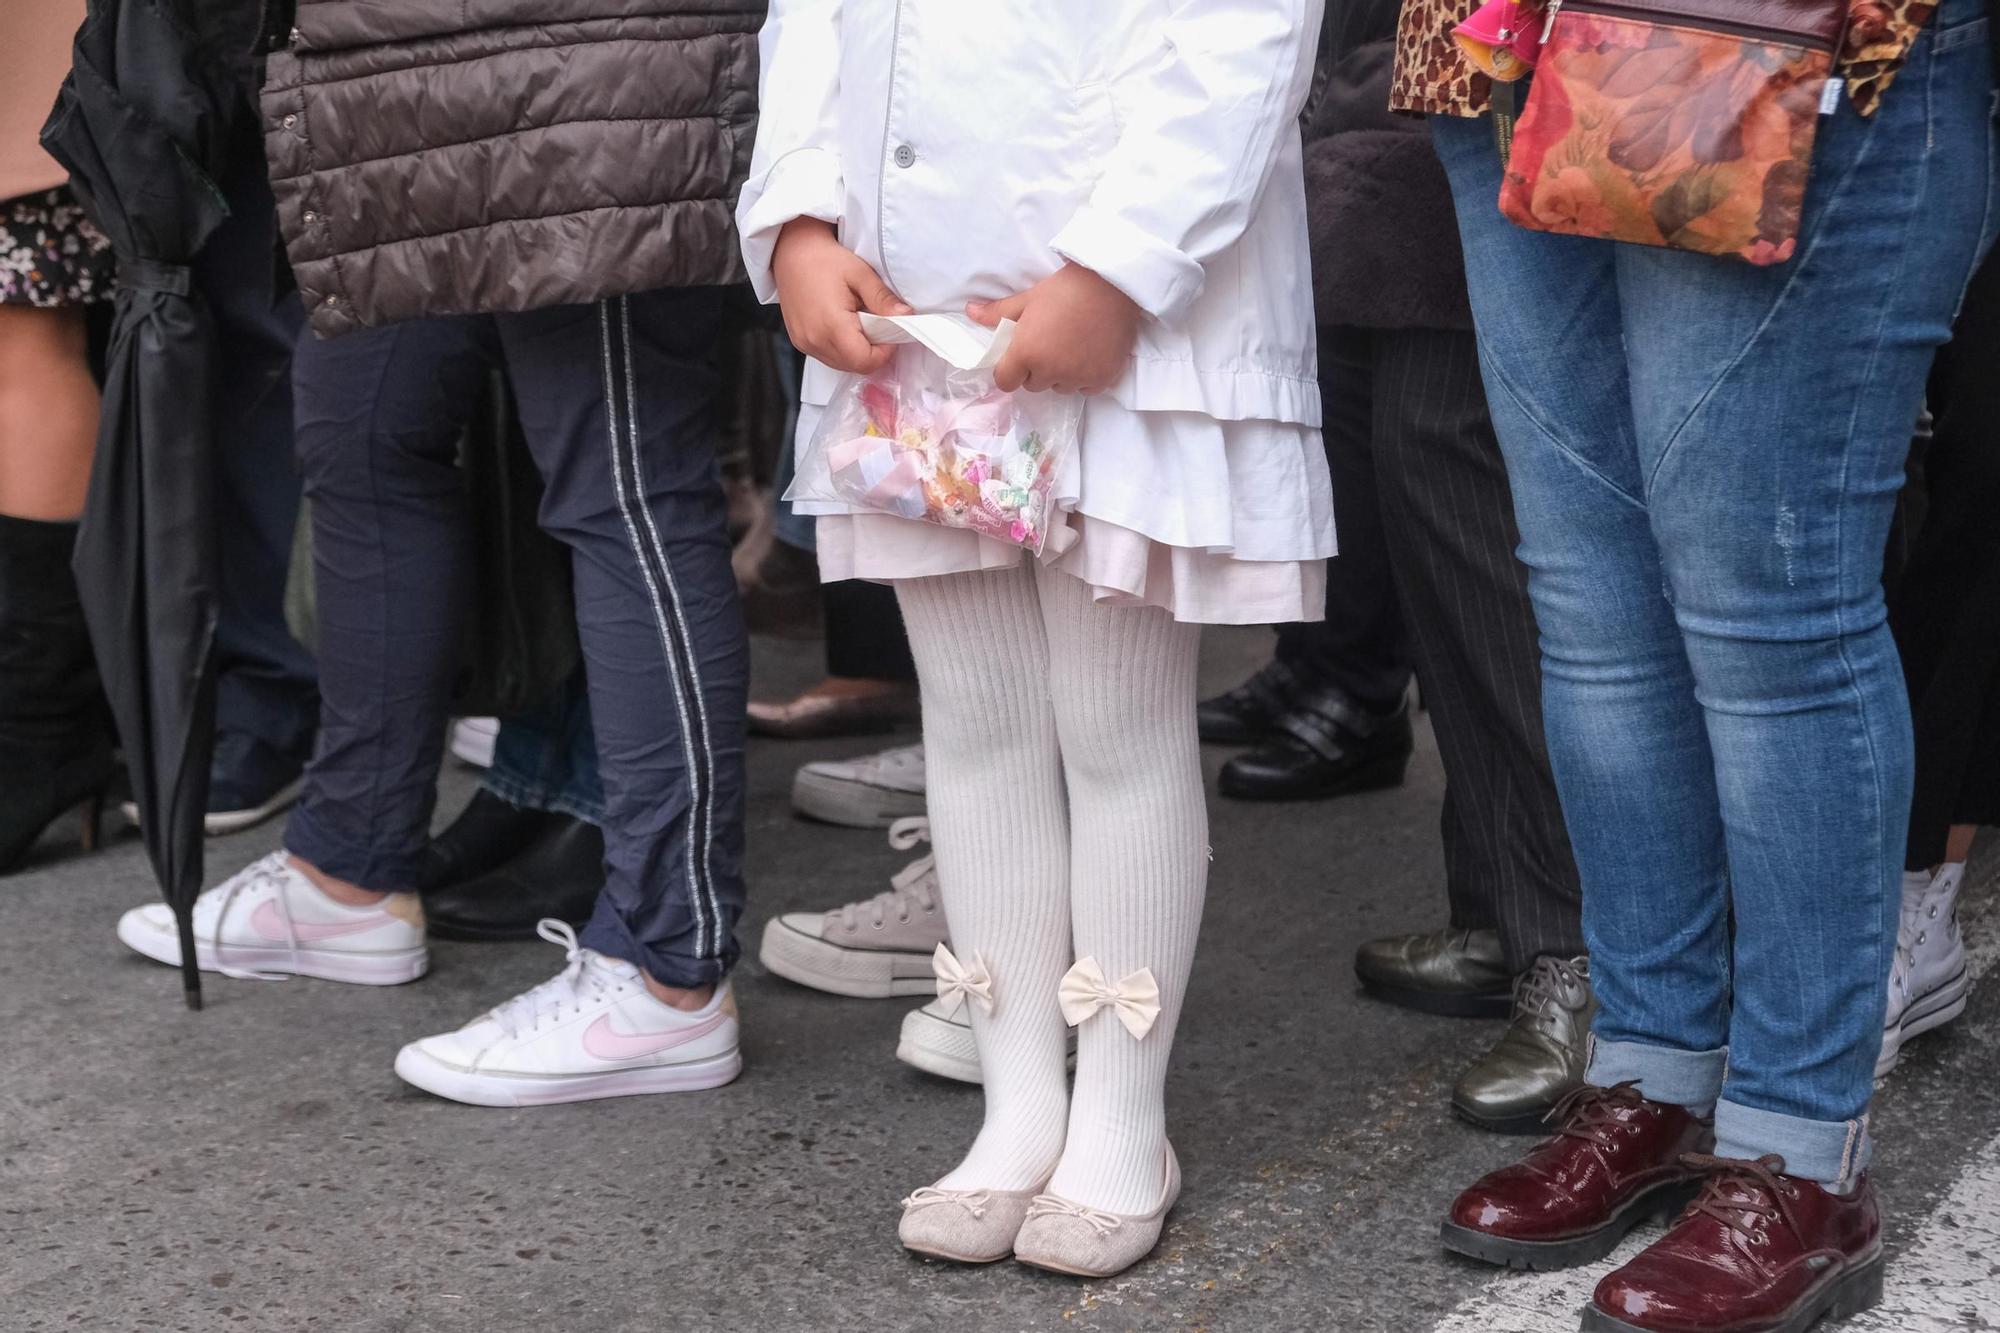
(1541, 1056)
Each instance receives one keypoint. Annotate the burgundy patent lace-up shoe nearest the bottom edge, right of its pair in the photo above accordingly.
(1759, 1252)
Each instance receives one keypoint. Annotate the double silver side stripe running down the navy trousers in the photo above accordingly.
(683, 668)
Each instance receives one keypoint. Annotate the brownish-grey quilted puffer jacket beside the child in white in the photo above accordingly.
(451, 157)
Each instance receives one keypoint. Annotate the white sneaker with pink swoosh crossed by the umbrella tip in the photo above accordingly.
(269, 922)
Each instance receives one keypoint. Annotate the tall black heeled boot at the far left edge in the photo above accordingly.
(55, 732)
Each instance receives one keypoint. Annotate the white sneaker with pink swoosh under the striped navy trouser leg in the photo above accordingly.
(591, 1032)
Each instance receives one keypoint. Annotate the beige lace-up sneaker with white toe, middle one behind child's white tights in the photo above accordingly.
(869, 950)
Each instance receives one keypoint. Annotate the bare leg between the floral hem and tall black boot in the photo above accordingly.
(49, 413)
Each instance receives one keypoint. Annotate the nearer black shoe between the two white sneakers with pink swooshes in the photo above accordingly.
(559, 876)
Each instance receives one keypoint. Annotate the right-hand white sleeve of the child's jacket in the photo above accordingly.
(1203, 127)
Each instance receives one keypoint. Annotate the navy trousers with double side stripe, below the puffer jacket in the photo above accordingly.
(617, 407)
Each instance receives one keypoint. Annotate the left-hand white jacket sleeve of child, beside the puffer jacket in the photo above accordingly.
(795, 171)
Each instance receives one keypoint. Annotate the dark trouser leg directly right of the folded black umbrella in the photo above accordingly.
(265, 692)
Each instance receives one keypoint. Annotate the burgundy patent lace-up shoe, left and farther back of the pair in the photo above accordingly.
(1613, 1164)
